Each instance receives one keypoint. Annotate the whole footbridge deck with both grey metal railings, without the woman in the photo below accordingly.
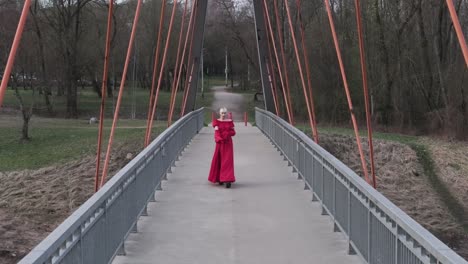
(293, 202)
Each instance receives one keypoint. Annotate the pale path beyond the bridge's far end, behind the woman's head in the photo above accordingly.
(235, 103)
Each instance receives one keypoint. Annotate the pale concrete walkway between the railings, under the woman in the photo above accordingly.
(266, 217)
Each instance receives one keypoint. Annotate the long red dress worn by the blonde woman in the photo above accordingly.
(222, 165)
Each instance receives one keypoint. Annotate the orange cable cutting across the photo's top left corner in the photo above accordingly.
(14, 48)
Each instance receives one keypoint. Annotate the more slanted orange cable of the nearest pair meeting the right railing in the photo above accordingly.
(348, 96)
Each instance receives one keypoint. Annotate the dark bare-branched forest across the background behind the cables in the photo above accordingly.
(416, 71)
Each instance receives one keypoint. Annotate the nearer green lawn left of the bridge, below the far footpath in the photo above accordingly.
(57, 141)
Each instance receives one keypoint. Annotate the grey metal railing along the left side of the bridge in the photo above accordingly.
(96, 231)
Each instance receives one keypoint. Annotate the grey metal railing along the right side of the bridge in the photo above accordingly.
(376, 229)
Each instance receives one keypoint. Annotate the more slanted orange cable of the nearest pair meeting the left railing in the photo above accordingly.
(119, 99)
